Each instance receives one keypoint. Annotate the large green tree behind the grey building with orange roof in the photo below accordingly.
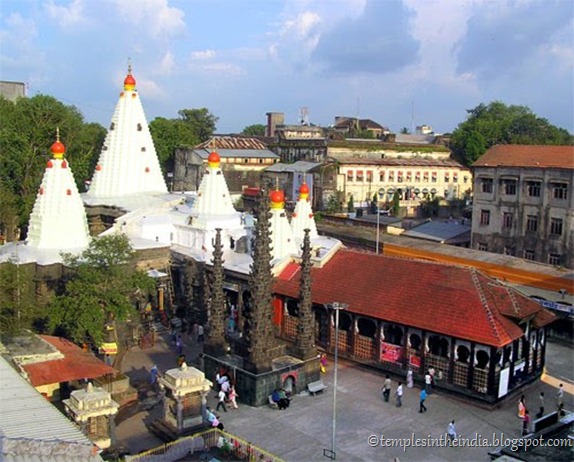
(501, 124)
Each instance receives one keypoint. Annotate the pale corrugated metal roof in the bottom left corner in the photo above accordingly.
(26, 415)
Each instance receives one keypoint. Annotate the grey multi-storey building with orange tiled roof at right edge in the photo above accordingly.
(523, 203)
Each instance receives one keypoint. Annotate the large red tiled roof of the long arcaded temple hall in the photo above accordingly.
(446, 299)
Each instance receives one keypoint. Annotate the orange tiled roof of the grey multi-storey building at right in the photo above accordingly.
(535, 156)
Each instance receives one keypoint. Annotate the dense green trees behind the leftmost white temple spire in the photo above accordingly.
(27, 131)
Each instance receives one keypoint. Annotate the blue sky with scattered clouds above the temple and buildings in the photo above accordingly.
(399, 63)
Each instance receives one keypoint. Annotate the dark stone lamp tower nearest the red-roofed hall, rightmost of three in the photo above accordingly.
(305, 342)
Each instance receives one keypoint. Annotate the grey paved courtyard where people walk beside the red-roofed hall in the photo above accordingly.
(304, 430)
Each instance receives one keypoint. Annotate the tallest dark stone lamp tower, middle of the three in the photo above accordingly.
(260, 337)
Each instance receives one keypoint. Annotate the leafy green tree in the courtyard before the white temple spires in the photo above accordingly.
(99, 291)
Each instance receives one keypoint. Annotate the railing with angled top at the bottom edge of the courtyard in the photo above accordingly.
(203, 442)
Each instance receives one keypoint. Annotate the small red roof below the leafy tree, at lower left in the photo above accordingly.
(76, 365)
